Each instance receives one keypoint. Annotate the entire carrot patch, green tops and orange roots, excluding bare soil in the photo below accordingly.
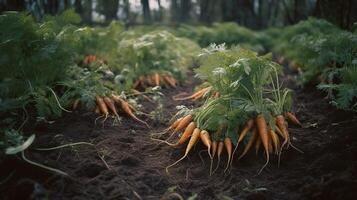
(57, 66)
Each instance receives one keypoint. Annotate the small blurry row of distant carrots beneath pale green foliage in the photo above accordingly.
(155, 79)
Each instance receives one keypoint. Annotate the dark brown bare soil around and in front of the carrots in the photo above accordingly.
(326, 170)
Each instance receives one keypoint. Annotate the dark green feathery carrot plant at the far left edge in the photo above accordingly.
(34, 58)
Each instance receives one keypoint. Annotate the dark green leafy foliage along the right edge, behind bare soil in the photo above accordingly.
(325, 54)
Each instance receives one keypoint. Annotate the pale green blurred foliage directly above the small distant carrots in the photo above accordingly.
(154, 52)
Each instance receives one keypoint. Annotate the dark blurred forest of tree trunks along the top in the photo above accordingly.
(256, 14)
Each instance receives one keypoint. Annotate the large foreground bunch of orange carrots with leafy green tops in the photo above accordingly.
(251, 112)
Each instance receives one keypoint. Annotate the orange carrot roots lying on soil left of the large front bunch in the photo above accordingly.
(107, 105)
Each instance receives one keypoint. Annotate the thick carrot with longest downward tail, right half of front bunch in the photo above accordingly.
(263, 133)
